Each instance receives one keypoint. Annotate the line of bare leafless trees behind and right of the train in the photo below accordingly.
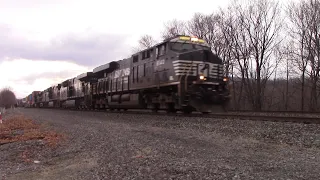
(271, 51)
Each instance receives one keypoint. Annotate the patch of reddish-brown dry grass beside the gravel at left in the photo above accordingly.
(20, 128)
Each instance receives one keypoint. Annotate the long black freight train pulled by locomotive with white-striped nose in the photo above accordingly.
(179, 74)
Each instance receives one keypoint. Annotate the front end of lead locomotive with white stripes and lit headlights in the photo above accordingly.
(200, 74)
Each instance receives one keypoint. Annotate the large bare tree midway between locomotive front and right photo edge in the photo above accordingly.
(261, 26)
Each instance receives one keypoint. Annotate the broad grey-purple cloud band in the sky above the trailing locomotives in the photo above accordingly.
(89, 50)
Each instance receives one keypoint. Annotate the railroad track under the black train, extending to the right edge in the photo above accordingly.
(259, 116)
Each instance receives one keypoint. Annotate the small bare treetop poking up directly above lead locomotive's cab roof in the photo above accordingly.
(174, 28)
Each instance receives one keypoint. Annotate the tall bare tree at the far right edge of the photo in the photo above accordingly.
(304, 32)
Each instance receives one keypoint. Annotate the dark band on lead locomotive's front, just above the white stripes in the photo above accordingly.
(200, 55)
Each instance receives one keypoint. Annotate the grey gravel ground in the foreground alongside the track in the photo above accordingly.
(124, 146)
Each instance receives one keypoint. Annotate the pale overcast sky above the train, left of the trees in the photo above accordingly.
(43, 42)
